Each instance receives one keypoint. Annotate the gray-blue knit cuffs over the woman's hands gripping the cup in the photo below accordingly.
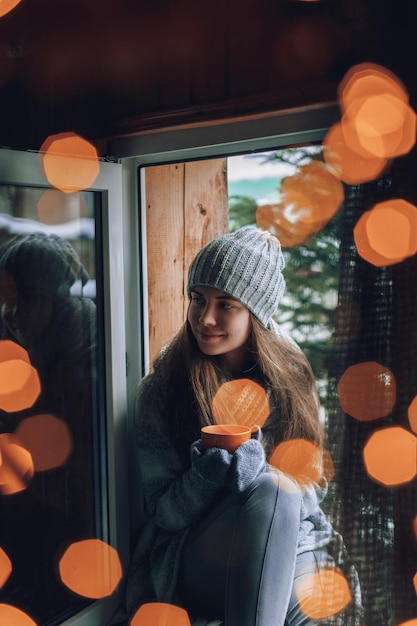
(235, 471)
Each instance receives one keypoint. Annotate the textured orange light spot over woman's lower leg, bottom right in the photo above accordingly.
(323, 594)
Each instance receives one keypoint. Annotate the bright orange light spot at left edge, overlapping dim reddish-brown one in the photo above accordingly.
(16, 467)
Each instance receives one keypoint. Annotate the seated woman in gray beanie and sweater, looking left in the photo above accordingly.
(222, 535)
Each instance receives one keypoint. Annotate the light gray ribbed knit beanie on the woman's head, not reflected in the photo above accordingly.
(246, 264)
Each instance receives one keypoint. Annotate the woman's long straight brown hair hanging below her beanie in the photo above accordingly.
(192, 378)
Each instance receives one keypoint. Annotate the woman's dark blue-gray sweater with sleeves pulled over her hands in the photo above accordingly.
(177, 494)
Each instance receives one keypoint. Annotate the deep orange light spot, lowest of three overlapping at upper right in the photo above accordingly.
(346, 164)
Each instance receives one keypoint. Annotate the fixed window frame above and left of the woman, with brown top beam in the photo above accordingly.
(214, 139)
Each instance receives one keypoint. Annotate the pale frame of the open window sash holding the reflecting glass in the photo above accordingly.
(23, 168)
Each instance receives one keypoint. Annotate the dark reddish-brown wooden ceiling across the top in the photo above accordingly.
(104, 67)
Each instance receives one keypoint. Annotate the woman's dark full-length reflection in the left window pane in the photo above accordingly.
(58, 331)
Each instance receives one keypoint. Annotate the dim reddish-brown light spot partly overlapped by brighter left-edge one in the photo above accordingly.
(47, 438)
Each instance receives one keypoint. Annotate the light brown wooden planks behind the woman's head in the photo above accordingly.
(186, 206)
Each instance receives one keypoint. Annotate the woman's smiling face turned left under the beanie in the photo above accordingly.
(220, 324)
